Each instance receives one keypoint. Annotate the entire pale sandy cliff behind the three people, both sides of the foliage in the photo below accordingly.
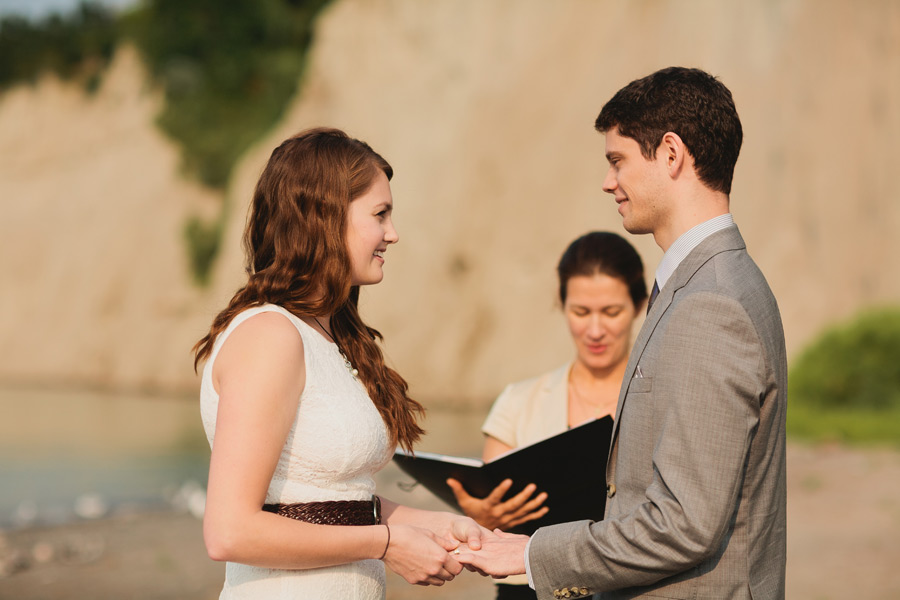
(485, 109)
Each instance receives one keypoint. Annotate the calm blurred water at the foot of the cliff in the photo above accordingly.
(67, 455)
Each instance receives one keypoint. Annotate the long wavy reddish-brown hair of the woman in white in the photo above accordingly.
(297, 258)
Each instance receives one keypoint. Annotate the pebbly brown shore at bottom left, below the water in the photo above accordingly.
(147, 555)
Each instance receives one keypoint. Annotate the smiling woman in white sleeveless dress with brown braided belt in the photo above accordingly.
(297, 402)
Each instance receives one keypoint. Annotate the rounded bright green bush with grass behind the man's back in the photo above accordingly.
(846, 385)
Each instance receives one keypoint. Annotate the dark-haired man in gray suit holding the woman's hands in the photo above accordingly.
(696, 470)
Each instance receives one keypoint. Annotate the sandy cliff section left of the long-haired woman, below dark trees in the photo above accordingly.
(97, 289)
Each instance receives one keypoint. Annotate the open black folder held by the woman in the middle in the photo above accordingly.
(570, 467)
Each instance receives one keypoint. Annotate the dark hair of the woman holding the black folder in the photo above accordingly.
(606, 253)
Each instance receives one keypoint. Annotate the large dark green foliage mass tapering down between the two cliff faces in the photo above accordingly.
(227, 74)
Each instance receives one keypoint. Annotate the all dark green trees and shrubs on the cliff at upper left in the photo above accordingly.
(227, 70)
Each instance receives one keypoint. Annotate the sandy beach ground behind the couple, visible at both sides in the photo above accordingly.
(843, 542)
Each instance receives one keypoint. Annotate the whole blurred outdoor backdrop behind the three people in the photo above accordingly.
(132, 133)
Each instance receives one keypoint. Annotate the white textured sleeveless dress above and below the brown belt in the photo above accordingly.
(337, 442)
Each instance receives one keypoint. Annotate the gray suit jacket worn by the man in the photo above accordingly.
(696, 473)
